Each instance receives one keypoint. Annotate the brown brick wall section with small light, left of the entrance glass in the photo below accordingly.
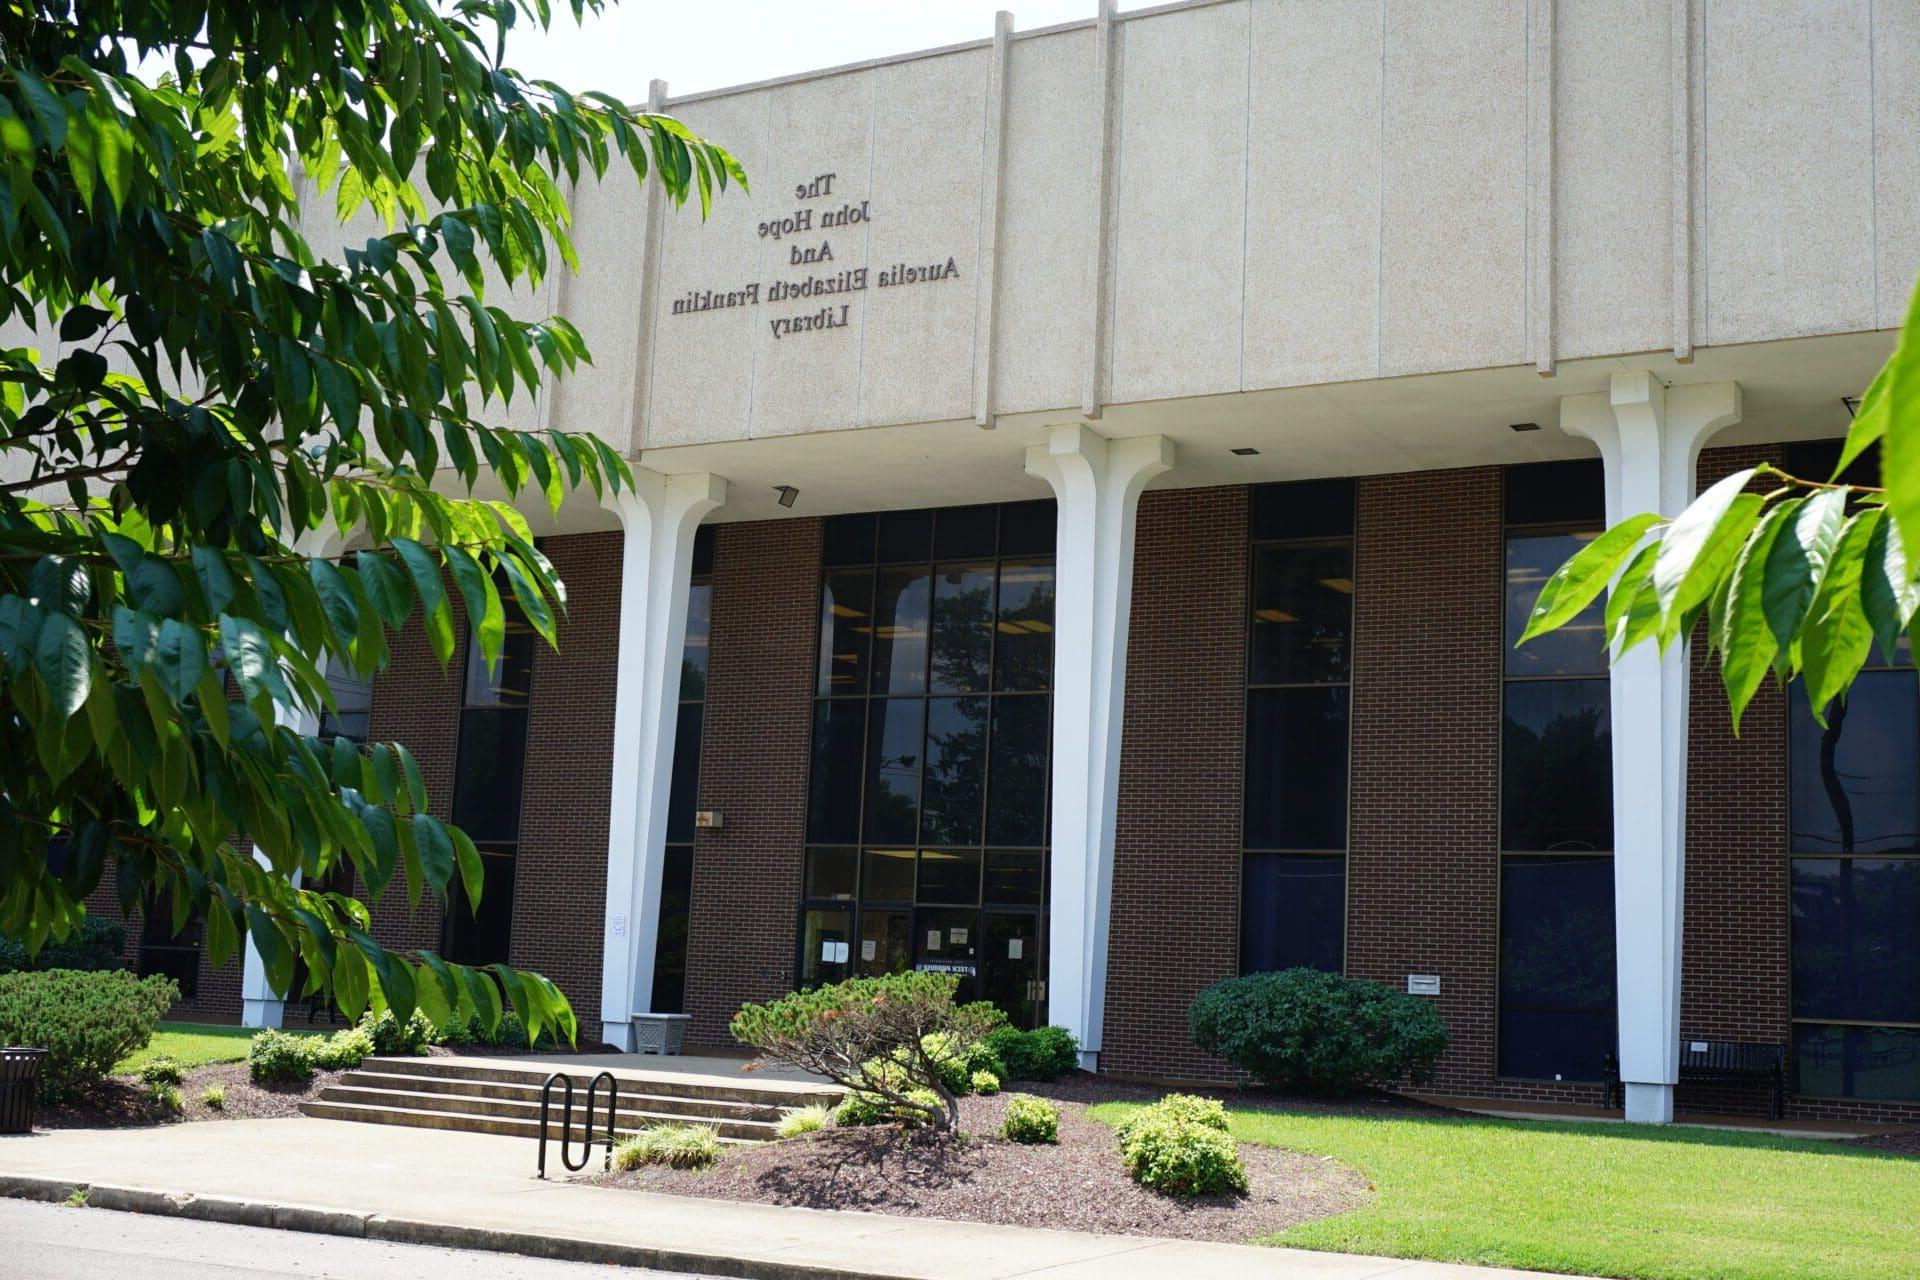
(754, 770)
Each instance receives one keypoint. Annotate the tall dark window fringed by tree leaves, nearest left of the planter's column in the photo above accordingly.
(487, 788)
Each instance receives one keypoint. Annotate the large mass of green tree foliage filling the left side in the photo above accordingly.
(208, 398)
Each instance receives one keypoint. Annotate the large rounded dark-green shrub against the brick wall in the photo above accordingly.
(1320, 1031)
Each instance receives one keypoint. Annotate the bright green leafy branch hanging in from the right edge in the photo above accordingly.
(1796, 577)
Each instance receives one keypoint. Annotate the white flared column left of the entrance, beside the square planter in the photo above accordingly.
(661, 515)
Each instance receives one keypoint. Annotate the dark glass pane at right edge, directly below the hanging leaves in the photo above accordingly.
(1858, 782)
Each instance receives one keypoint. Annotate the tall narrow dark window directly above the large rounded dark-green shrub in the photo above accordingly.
(1299, 694)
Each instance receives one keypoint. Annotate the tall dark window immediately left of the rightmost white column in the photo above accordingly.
(1558, 985)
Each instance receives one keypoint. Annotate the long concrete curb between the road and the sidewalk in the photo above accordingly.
(324, 1221)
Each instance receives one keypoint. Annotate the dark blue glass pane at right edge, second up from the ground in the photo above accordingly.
(1858, 939)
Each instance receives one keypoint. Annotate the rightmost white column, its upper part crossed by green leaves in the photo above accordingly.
(1650, 439)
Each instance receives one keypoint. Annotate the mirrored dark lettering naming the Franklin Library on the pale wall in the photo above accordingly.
(825, 277)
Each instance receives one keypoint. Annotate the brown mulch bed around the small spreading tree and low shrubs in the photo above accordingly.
(1076, 1185)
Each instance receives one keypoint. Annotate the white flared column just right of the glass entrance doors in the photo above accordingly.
(1097, 485)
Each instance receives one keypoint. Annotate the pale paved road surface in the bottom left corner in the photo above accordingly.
(49, 1243)
